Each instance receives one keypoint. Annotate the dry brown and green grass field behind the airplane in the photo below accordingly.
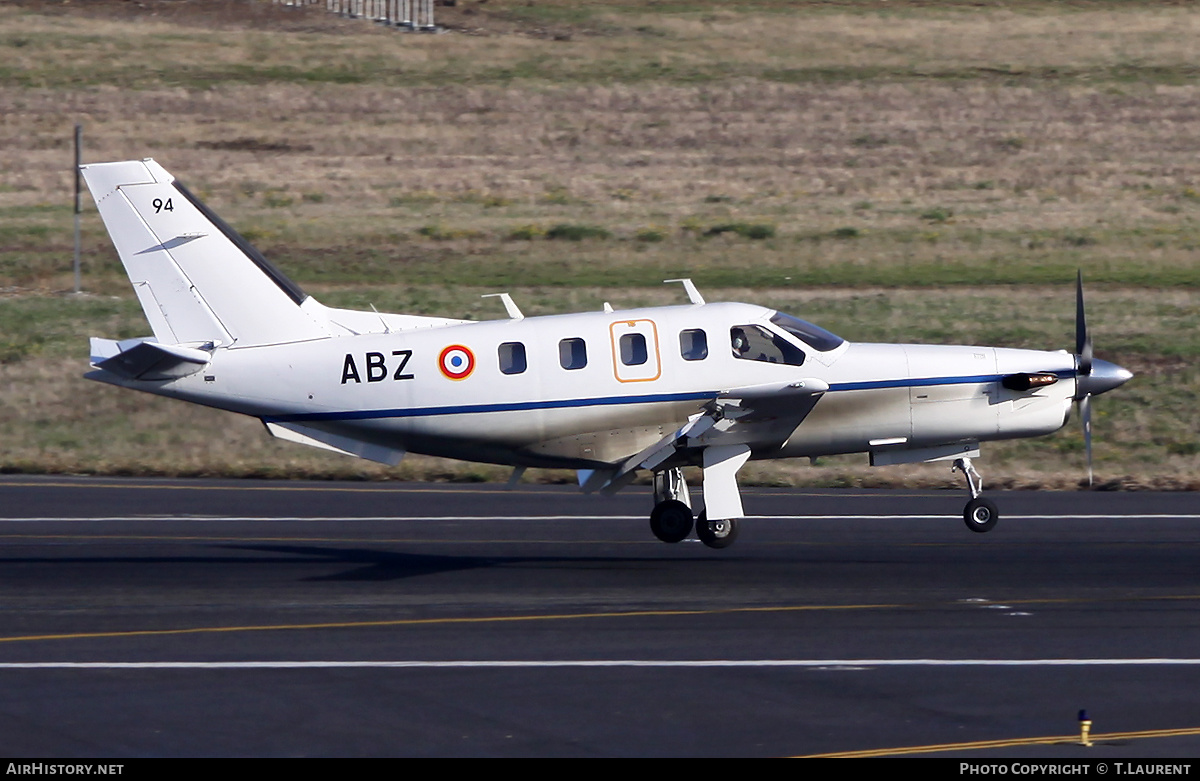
(895, 171)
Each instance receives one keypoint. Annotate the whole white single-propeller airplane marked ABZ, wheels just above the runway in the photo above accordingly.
(609, 394)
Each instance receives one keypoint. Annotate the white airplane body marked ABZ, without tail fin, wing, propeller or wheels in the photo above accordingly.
(557, 392)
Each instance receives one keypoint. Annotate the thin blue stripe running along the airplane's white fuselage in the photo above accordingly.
(608, 401)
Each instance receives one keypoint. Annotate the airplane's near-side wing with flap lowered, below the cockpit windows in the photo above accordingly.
(760, 417)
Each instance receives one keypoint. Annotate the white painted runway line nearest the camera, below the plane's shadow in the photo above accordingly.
(835, 664)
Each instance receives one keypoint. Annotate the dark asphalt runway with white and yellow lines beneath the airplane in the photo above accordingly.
(148, 618)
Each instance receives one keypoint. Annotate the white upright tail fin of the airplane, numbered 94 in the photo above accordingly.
(197, 280)
